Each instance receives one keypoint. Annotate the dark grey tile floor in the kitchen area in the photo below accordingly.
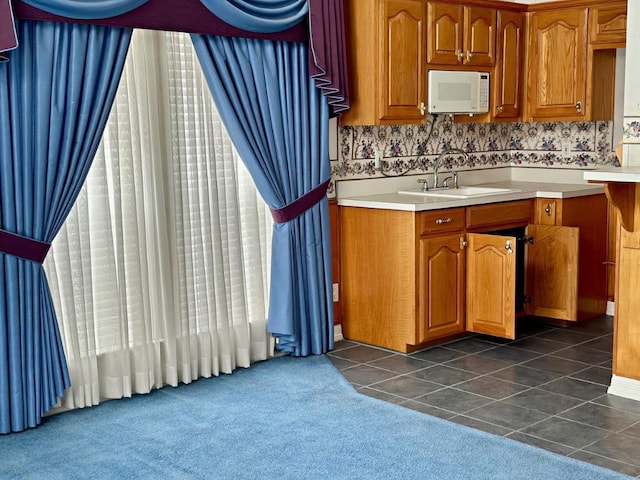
(547, 388)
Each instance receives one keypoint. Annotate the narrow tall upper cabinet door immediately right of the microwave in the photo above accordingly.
(509, 63)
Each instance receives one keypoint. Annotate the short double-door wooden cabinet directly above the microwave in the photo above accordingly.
(460, 35)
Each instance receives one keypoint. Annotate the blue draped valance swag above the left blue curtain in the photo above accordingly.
(86, 9)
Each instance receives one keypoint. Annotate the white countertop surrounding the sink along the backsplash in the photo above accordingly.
(526, 190)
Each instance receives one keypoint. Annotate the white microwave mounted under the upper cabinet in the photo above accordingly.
(457, 92)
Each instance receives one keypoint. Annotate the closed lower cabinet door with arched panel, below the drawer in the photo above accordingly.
(441, 287)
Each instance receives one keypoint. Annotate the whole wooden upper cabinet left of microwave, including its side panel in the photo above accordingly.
(387, 61)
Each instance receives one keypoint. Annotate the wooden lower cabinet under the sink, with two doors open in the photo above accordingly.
(411, 278)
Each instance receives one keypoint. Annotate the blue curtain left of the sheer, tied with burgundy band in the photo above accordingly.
(55, 97)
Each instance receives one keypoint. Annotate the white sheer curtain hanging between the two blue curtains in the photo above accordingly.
(160, 274)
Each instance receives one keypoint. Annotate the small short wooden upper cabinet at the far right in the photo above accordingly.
(608, 25)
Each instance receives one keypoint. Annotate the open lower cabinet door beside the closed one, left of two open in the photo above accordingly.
(491, 285)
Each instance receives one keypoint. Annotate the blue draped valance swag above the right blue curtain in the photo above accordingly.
(264, 16)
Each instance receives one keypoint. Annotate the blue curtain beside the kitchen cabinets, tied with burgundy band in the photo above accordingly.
(278, 121)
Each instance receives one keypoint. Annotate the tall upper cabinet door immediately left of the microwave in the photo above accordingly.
(402, 80)
